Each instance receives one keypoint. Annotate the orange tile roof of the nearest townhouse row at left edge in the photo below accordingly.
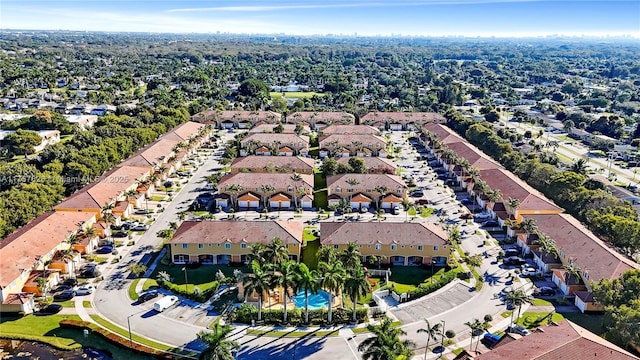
(22, 248)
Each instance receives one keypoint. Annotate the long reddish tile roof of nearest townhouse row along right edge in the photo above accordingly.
(588, 252)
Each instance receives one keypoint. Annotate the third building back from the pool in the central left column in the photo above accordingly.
(273, 164)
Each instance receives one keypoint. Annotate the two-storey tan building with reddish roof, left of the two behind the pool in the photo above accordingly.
(226, 242)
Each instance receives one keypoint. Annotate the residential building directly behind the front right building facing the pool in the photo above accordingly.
(364, 190)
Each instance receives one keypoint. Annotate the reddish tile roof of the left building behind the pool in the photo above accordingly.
(212, 232)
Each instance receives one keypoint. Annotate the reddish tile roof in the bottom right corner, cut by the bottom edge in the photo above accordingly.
(566, 341)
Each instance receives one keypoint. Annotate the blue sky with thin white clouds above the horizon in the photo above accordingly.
(306, 17)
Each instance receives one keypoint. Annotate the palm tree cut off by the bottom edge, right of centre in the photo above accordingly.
(385, 344)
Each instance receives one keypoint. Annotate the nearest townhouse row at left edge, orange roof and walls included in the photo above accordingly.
(29, 248)
